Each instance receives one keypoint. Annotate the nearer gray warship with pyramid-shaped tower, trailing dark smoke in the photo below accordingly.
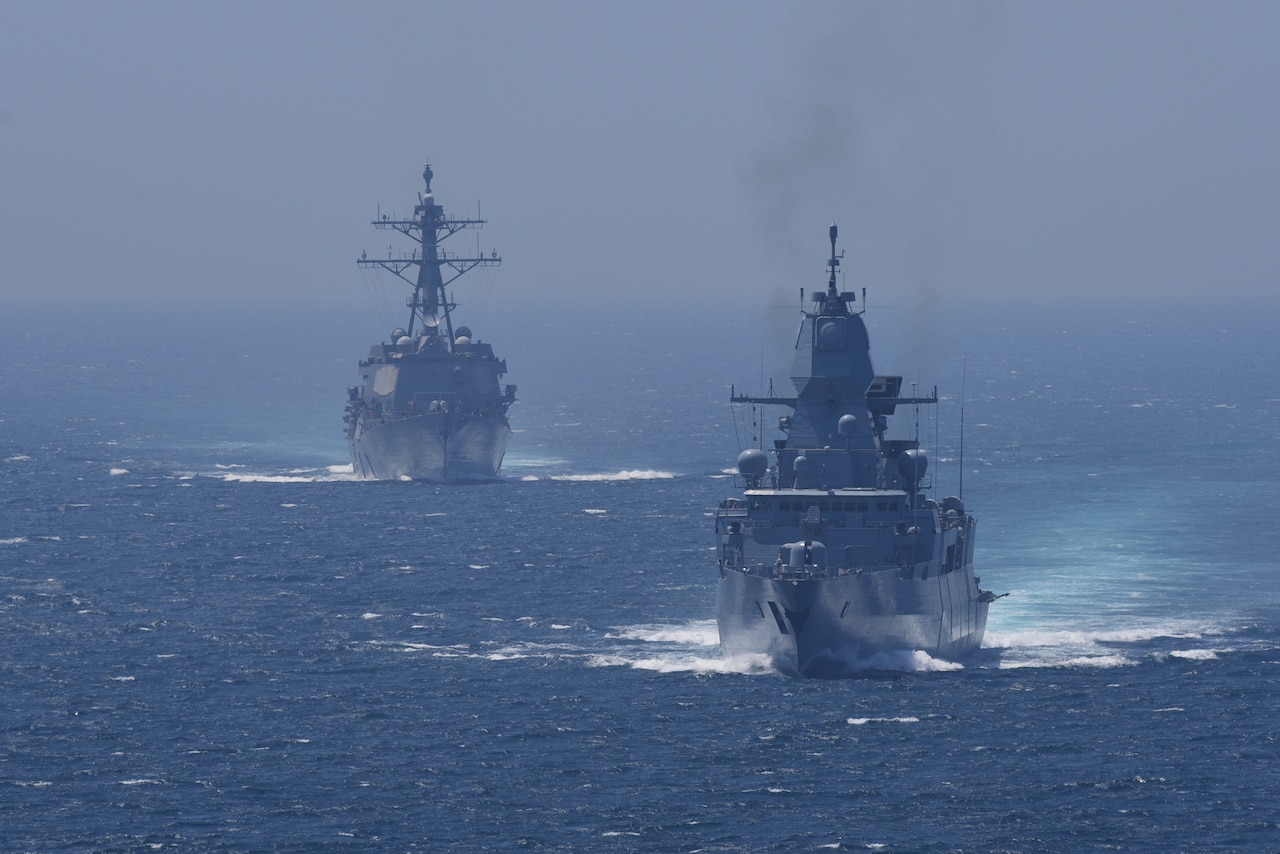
(835, 552)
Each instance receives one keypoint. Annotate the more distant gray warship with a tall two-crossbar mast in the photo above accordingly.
(431, 405)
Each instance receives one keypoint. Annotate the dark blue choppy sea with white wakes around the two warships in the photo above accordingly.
(213, 638)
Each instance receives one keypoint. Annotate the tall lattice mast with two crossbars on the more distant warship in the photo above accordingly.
(429, 229)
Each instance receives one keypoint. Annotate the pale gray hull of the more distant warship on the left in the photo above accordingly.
(437, 447)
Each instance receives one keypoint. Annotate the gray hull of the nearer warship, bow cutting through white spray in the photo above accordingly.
(831, 627)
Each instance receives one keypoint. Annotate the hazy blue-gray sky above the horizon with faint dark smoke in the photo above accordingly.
(173, 152)
